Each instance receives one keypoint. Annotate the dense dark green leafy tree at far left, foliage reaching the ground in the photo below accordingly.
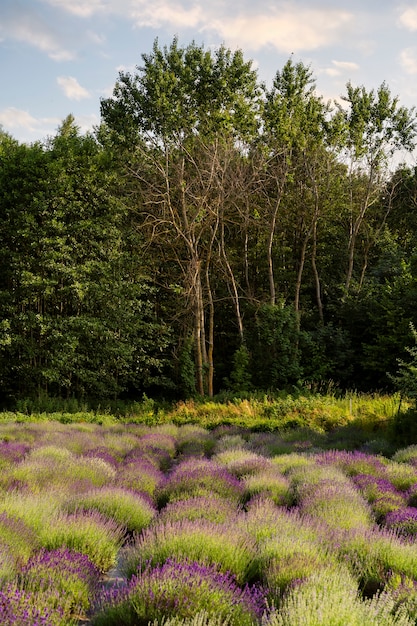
(80, 316)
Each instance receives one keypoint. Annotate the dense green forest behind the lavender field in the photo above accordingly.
(212, 233)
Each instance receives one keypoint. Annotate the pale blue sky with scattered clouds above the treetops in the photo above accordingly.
(61, 57)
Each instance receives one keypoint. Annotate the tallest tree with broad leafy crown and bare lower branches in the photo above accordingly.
(182, 110)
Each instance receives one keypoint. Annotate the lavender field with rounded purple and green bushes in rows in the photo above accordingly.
(128, 524)
